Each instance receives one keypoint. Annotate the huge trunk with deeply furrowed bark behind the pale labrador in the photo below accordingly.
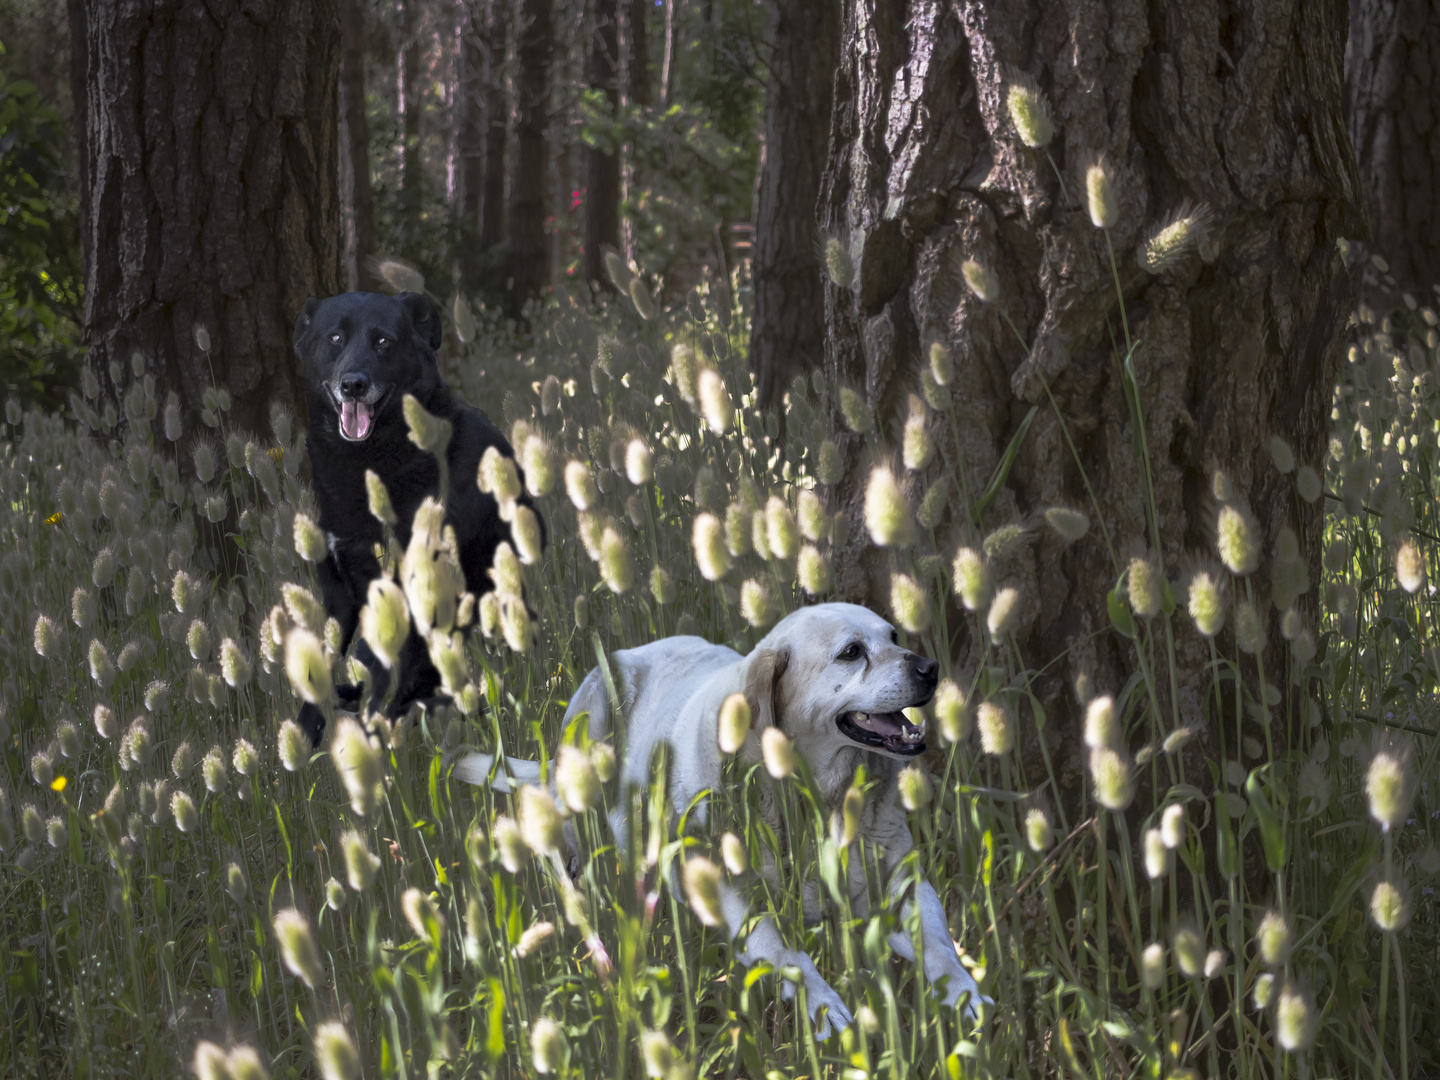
(1241, 110)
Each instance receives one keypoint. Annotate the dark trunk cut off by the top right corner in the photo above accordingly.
(1393, 90)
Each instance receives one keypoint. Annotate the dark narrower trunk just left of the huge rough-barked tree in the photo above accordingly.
(788, 328)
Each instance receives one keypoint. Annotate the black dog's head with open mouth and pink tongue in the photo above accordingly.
(362, 354)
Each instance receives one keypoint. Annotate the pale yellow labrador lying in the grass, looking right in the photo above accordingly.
(836, 680)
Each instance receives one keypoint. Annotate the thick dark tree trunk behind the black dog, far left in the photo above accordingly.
(210, 152)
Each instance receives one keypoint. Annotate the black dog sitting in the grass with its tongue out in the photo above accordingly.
(361, 355)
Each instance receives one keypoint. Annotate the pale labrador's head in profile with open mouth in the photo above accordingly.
(836, 680)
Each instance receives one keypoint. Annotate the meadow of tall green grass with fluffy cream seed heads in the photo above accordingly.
(188, 886)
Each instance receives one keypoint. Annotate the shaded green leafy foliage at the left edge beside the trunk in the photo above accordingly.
(40, 253)
